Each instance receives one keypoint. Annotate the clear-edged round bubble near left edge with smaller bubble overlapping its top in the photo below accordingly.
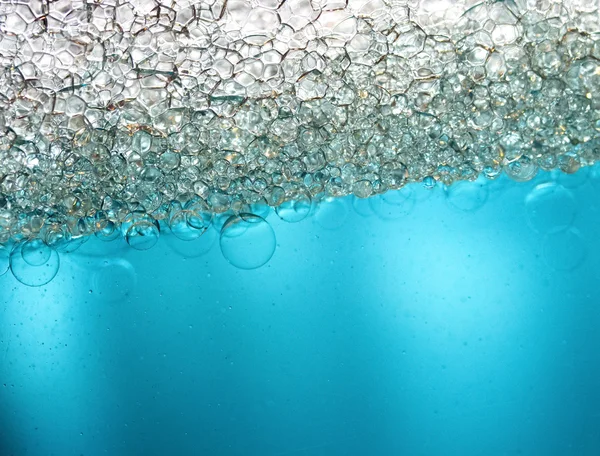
(30, 274)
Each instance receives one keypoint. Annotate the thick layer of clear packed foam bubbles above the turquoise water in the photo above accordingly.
(118, 117)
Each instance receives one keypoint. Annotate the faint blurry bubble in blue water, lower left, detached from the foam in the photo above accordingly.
(114, 280)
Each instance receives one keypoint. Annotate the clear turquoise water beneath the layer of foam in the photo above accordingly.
(422, 322)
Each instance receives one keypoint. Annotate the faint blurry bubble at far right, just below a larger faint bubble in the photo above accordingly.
(564, 250)
